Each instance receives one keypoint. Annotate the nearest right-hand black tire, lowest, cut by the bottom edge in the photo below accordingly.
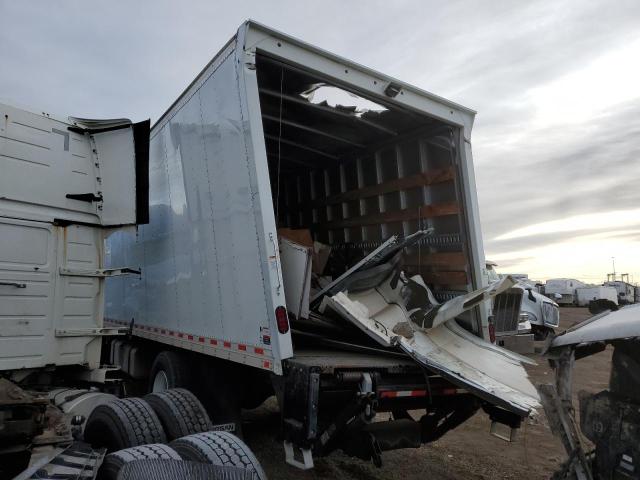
(218, 448)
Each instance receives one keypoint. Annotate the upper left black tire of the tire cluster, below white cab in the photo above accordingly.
(123, 423)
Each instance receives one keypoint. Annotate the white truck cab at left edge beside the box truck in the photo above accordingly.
(65, 185)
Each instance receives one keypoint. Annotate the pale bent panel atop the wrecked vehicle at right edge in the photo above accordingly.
(606, 327)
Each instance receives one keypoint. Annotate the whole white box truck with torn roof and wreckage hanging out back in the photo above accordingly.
(262, 140)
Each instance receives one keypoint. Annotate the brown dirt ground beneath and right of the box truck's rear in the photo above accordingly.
(468, 452)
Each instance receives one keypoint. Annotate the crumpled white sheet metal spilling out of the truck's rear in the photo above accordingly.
(490, 372)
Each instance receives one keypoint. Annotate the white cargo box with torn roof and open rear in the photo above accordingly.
(277, 133)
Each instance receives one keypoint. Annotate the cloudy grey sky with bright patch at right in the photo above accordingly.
(556, 85)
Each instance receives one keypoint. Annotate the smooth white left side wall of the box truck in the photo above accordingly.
(203, 254)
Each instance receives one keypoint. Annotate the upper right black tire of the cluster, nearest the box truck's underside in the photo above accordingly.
(180, 412)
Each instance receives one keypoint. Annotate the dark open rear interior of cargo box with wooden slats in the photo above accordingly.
(354, 171)
